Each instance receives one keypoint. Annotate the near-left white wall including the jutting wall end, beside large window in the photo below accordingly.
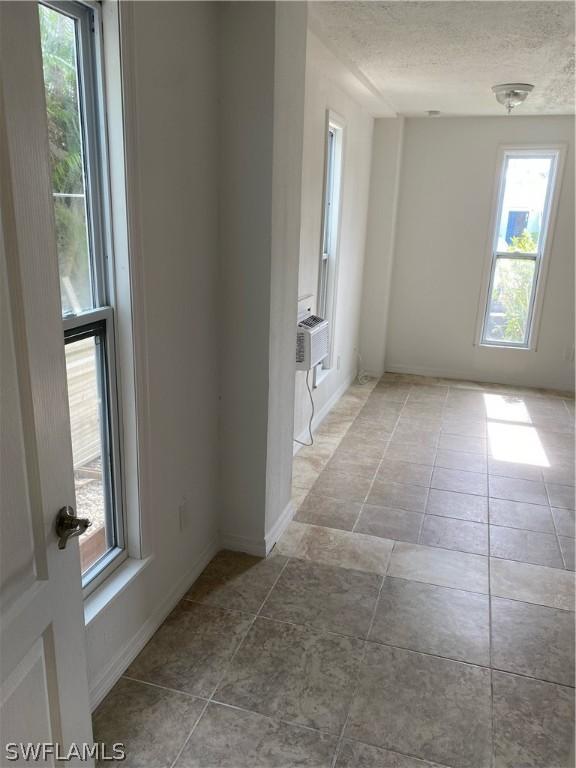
(218, 101)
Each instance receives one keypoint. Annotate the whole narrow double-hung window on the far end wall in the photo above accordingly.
(521, 234)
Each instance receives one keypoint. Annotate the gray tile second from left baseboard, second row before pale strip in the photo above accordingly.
(293, 673)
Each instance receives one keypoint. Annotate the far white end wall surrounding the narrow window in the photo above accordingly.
(442, 237)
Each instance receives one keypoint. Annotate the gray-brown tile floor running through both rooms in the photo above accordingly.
(418, 612)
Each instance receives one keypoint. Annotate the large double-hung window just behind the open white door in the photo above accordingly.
(74, 104)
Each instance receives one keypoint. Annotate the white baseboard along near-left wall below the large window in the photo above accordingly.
(126, 655)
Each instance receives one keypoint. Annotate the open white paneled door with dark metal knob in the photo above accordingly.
(44, 690)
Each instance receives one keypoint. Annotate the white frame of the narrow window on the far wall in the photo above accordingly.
(541, 257)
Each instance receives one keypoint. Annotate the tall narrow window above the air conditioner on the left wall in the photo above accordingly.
(330, 219)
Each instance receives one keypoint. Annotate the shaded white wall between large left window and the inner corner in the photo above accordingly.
(176, 107)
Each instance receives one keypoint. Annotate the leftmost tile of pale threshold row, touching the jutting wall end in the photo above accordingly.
(341, 548)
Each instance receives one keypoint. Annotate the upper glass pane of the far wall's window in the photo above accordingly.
(523, 204)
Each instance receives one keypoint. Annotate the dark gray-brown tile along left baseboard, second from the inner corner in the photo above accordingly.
(191, 649)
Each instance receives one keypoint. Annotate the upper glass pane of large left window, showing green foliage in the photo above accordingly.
(61, 84)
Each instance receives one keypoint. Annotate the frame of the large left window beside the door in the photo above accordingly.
(90, 66)
